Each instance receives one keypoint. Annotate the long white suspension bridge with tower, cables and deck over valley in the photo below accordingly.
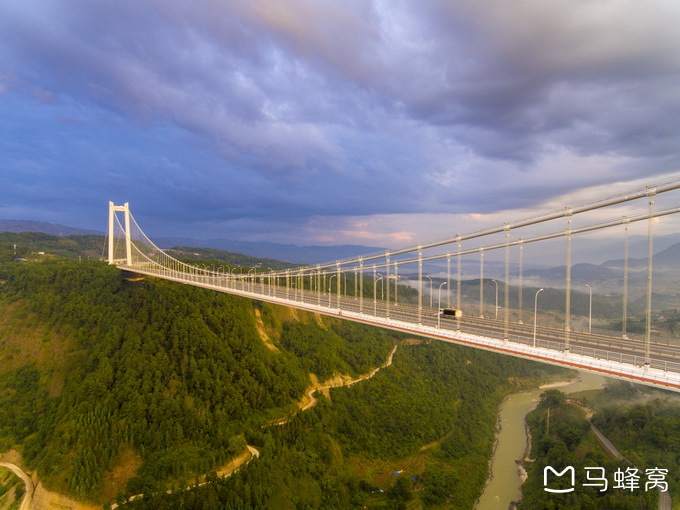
(436, 289)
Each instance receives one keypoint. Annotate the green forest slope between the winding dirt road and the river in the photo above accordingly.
(423, 432)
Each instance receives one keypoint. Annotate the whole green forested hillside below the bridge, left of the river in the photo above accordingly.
(166, 382)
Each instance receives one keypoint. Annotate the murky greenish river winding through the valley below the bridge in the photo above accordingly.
(505, 482)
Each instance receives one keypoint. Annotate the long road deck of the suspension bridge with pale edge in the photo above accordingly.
(610, 356)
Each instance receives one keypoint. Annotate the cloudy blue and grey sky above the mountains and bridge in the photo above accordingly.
(325, 121)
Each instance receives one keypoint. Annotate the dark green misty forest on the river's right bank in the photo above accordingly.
(646, 433)
